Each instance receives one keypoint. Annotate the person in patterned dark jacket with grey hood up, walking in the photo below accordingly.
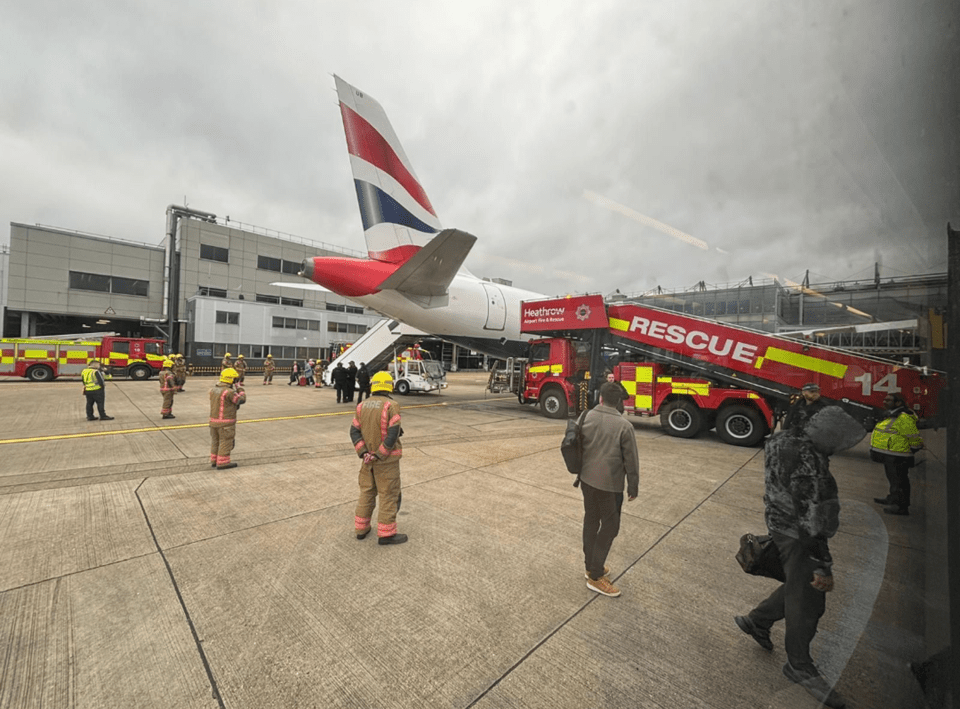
(802, 512)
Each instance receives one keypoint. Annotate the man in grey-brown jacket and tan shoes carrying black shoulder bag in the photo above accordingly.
(610, 459)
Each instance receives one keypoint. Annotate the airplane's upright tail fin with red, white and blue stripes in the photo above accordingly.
(398, 219)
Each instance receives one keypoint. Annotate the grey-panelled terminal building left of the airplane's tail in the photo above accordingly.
(207, 289)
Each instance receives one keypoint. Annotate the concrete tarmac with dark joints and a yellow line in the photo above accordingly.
(134, 575)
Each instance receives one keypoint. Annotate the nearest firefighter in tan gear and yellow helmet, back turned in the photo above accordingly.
(375, 433)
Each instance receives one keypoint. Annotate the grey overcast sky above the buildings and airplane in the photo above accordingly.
(589, 146)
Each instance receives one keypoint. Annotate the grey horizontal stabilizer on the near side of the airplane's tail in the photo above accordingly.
(430, 271)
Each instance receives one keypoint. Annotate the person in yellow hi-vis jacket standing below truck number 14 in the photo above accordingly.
(893, 443)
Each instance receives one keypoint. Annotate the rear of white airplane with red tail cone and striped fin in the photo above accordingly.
(414, 270)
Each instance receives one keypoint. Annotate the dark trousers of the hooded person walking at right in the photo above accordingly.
(795, 601)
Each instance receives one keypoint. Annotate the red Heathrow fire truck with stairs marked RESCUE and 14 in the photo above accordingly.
(695, 373)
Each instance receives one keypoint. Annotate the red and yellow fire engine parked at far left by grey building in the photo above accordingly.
(43, 360)
